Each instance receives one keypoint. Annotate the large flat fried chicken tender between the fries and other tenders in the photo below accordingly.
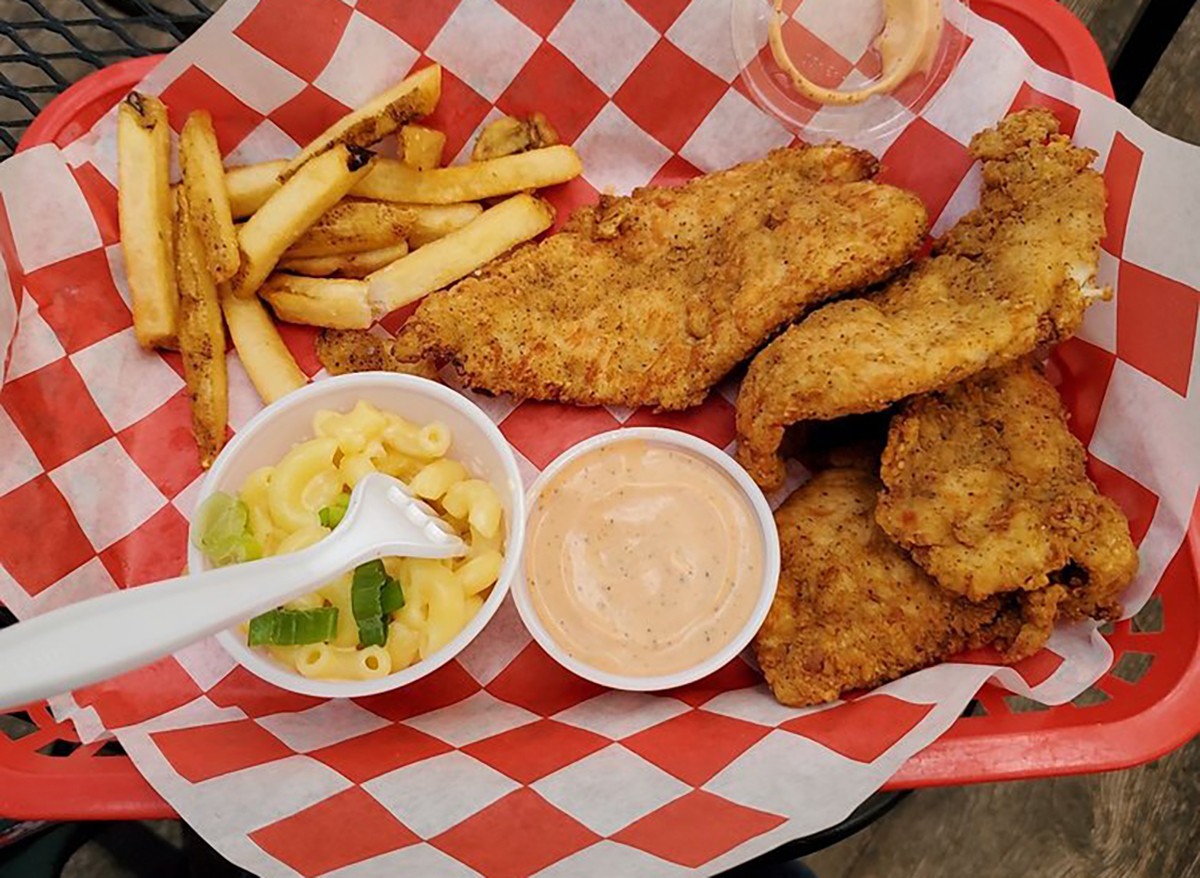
(653, 298)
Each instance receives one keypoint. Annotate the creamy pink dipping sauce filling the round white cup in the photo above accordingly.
(644, 560)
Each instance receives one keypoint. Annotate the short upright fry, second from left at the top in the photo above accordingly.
(200, 159)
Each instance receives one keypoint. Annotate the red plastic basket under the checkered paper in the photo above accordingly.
(1143, 708)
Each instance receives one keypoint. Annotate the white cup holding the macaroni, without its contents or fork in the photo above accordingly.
(478, 444)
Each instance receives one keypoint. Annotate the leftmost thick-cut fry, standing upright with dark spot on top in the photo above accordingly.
(146, 211)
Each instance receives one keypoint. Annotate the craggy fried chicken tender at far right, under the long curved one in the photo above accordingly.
(987, 489)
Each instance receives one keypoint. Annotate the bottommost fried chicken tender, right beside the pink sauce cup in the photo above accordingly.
(853, 611)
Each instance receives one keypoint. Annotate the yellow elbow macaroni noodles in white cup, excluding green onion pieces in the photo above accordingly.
(441, 598)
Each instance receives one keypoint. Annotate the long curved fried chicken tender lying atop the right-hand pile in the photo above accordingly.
(1015, 275)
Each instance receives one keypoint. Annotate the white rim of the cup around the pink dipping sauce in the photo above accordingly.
(657, 436)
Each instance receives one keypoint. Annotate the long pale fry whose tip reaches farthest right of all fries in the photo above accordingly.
(395, 182)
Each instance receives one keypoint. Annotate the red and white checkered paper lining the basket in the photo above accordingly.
(502, 763)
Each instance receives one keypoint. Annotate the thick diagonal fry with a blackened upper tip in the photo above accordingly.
(289, 214)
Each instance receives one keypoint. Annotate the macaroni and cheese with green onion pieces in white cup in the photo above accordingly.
(362, 626)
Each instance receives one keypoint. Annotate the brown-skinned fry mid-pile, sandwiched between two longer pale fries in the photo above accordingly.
(356, 227)
